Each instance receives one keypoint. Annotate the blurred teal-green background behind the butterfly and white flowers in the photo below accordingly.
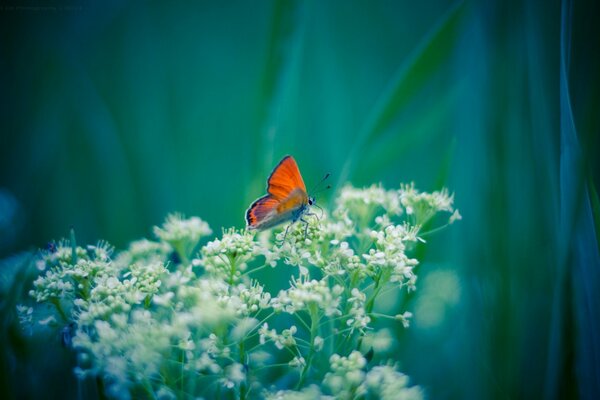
(114, 114)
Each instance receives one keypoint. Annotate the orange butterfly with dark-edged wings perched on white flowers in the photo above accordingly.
(286, 198)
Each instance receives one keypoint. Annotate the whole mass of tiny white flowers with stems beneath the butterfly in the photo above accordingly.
(161, 322)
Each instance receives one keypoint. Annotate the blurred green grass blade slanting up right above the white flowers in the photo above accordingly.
(429, 57)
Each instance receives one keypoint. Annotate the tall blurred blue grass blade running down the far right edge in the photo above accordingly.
(580, 259)
